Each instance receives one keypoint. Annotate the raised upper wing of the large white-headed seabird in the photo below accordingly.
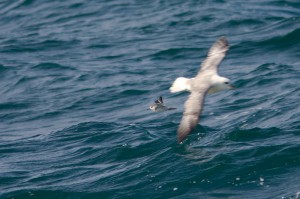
(215, 55)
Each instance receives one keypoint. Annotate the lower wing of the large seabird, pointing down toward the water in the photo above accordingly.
(192, 110)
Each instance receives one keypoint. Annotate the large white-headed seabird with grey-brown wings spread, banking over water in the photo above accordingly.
(206, 81)
